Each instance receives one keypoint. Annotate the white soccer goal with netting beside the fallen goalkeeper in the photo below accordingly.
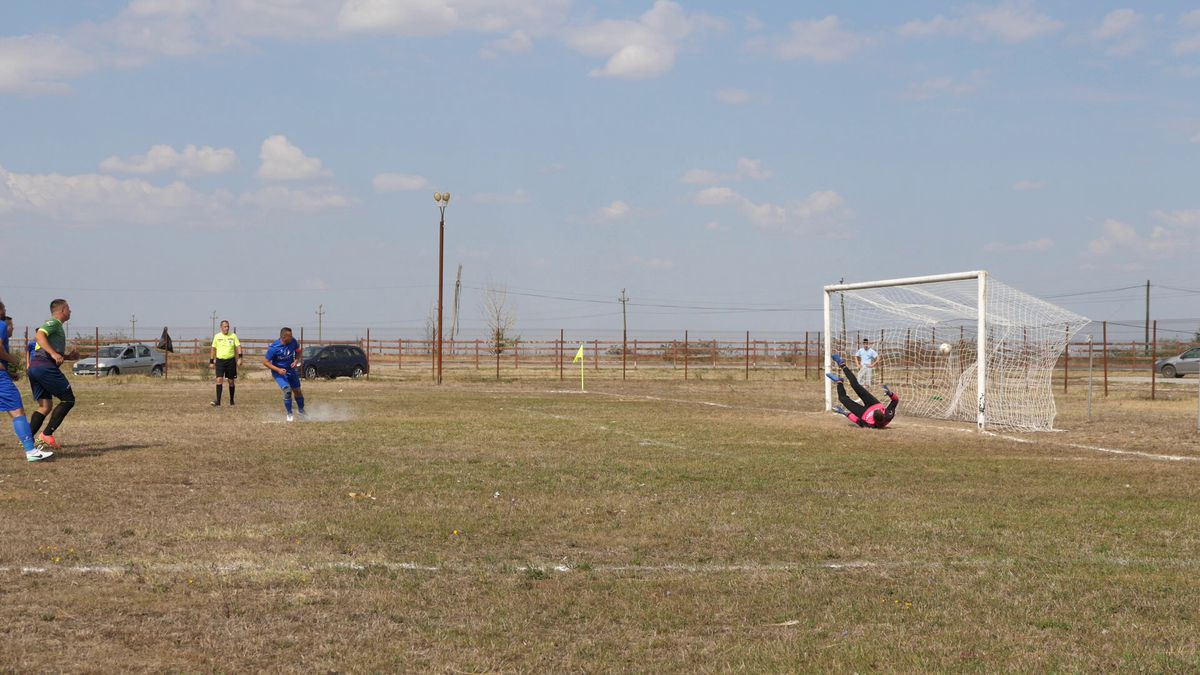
(955, 347)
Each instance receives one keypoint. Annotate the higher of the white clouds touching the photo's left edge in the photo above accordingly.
(40, 64)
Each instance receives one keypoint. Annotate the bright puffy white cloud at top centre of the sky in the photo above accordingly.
(644, 49)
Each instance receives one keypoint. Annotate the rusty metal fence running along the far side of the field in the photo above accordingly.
(1126, 365)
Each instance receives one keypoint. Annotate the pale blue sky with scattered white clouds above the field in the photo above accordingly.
(164, 160)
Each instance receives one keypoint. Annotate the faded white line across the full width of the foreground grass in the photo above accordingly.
(237, 569)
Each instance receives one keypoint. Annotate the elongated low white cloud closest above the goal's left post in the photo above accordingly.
(818, 213)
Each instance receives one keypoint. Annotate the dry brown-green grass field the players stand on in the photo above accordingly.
(644, 527)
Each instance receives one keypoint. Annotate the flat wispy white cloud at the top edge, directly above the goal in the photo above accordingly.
(1013, 21)
